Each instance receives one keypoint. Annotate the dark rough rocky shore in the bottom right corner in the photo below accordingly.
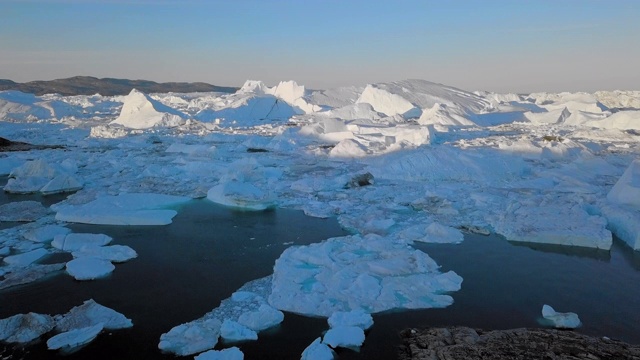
(455, 343)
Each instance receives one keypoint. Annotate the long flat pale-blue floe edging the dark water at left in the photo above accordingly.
(123, 209)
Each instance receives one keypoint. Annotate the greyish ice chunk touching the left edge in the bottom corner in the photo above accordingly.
(24, 328)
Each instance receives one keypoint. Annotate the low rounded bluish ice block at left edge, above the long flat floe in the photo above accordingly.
(38, 176)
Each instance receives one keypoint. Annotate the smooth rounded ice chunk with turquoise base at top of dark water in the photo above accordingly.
(241, 195)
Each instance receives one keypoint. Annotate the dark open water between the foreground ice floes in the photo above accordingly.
(185, 269)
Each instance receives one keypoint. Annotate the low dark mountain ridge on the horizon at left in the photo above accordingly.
(88, 85)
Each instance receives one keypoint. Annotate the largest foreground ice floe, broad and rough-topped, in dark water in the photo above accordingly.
(369, 272)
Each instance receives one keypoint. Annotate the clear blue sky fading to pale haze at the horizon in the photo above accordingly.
(502, 46)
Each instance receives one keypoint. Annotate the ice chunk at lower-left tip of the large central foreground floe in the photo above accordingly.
(191, 338)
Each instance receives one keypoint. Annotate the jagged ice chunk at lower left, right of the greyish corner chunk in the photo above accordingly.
(91, 313)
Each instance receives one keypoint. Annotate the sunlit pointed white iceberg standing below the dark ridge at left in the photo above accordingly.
(140, 111)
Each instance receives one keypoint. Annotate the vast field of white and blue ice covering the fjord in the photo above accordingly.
(404, 167)
